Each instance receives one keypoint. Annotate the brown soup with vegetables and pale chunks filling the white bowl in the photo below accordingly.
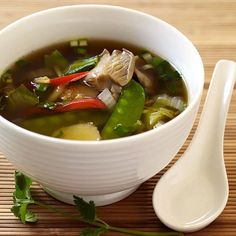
(91, 90)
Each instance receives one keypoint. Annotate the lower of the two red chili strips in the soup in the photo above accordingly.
(77, 104)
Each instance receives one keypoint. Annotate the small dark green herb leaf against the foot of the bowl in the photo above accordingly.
(87, 209)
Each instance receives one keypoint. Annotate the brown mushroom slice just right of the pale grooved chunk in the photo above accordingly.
(145, 77)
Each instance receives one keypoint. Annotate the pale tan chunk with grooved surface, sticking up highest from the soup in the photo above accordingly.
(121, 66)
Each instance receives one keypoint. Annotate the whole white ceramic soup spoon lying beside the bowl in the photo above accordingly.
(192, 193)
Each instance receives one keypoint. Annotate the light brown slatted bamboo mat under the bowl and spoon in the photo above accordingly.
(211, 25)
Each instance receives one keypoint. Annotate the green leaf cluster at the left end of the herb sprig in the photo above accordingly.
(22, 198)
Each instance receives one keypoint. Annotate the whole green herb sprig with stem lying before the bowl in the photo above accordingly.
(87, 212)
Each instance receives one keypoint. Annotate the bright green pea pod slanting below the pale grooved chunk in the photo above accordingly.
(126, 113)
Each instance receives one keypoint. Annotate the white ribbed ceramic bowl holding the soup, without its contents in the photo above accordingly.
(104, 171)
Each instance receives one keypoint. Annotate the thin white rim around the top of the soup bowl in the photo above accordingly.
(131, 138)
